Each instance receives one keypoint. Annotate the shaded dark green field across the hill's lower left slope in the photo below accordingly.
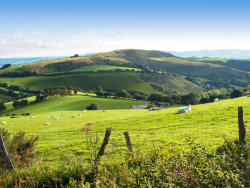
(108, 81)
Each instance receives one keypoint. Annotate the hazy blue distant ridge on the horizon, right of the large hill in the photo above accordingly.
(223, 53)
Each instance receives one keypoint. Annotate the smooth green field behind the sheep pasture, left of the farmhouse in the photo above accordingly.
(73, 103)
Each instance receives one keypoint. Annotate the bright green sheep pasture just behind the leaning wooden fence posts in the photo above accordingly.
(64, 139)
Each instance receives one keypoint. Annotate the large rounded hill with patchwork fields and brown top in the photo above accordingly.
(145, 71)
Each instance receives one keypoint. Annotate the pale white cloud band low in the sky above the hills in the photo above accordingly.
(23, 44)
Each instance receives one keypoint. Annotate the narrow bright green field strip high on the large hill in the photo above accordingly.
(96, 68)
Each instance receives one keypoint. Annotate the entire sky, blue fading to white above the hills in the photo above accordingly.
(59, 27)
